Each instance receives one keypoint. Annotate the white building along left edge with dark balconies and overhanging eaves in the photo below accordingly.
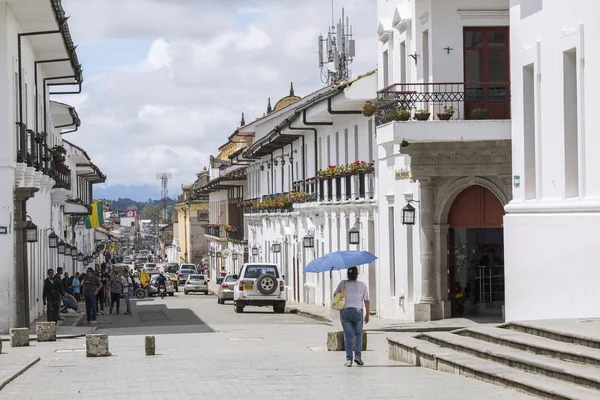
(36, 55)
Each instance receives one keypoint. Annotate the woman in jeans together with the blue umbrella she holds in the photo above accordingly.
(349, 297)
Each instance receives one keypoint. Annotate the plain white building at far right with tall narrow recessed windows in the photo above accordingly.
(551, 223)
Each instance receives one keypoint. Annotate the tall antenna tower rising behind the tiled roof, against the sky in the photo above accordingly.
(337, 50)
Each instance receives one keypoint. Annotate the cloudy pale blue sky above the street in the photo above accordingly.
(166, 81)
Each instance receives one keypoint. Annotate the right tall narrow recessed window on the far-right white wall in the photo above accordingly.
(570, 123)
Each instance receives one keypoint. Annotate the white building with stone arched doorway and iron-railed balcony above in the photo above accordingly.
(432, 55)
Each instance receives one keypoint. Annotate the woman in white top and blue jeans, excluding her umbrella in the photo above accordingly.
(351, 316)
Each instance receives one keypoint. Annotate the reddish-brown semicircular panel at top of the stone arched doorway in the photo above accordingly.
(476, 207)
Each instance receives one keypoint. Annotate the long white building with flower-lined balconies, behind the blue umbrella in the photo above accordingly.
(299, 137)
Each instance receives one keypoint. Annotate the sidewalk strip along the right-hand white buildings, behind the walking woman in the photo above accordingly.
(388, 325)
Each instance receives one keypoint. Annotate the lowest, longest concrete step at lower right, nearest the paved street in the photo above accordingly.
(405, 347)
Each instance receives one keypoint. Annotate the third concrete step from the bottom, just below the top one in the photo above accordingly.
(534, 344)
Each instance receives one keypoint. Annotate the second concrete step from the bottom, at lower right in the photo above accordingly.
(587, 376)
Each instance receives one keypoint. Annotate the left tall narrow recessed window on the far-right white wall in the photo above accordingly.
(529, 132)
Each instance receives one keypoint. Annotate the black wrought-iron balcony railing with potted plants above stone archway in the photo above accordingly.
(443, 101)
